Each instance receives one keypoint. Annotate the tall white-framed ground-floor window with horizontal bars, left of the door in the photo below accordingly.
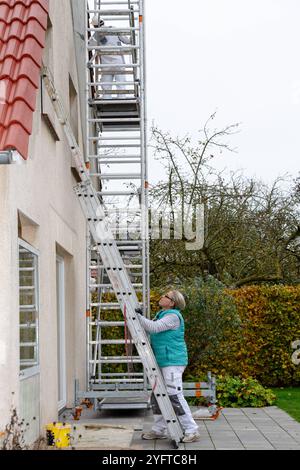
(29, 309)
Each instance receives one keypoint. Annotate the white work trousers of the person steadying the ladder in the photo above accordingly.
(173, 380)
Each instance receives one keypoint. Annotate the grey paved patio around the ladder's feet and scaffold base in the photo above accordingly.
(244, 428)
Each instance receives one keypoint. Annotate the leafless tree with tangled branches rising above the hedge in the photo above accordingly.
(251, 230)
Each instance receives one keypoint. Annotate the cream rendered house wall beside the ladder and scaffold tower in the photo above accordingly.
(40, 193)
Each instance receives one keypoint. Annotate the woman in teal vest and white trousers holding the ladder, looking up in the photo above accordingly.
(169, 347)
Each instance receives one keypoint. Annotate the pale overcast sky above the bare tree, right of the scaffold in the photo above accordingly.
(238, 57)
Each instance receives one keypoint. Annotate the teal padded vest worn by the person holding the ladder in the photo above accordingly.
(169, 346)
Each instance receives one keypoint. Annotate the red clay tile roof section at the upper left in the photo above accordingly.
(23, 25)
